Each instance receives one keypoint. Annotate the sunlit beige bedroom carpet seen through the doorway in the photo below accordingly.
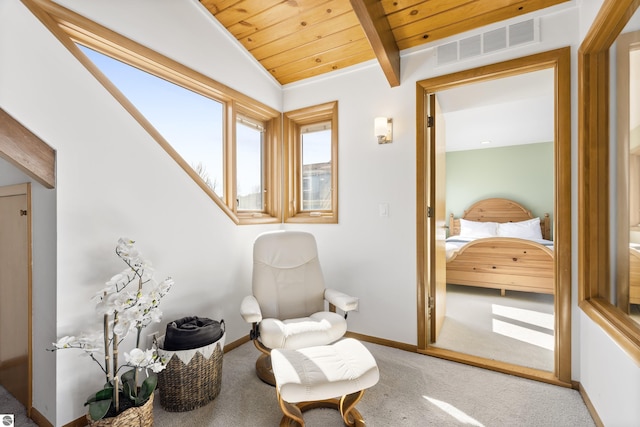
(516, 328)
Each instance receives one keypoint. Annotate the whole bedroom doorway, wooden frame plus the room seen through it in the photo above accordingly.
(512, 177)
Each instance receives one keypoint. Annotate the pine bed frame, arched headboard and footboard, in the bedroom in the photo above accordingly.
(503, 263)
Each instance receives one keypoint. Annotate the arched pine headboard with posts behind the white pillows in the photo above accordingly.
(498, 210)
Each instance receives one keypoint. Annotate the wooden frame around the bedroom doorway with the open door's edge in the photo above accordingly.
(430, 217)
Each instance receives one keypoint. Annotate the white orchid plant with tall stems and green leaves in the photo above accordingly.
(128, 303)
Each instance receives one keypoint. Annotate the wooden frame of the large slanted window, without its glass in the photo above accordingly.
(71, 28)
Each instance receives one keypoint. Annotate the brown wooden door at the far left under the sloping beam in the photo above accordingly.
(15, 291)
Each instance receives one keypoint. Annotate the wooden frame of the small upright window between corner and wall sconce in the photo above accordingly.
(293, 122)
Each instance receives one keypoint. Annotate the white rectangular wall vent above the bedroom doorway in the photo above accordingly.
(524, 32)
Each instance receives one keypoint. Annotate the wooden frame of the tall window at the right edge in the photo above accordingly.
(594, 175)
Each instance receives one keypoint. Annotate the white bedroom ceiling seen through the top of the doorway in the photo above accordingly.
(508, 111)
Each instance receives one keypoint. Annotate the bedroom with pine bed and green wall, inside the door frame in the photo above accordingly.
(500, 262)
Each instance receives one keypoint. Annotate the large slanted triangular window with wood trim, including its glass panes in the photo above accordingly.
(224, 140)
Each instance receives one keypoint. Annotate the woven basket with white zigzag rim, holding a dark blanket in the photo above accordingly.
(187, 386)
